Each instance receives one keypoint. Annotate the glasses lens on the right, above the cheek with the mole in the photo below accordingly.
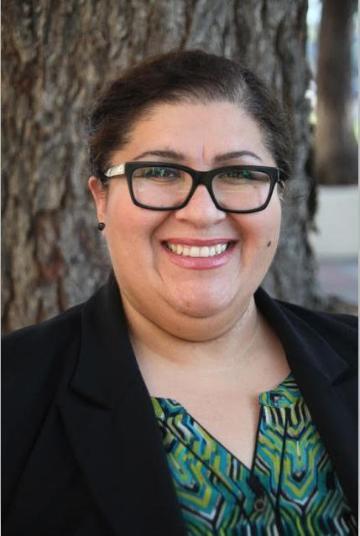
(241, 189)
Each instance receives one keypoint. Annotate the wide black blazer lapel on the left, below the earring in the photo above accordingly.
(109, 419)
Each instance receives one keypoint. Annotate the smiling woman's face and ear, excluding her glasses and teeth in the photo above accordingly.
(158, 284)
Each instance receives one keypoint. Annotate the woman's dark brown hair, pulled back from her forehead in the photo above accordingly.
(176, 76)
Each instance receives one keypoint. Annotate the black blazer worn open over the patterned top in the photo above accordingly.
(82, 452)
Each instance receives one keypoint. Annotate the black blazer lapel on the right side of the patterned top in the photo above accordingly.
(320, 373)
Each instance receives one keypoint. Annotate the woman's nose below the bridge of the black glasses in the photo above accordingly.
(200, 210)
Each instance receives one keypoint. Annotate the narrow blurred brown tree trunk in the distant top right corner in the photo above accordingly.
(335, 143)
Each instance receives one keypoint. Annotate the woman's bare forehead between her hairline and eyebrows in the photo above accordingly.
(197, 130)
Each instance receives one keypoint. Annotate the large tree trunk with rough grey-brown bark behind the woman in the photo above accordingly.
(56, 55)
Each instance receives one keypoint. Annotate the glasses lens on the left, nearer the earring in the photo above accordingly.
(160, 186)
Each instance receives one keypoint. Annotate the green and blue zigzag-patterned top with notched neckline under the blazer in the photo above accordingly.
(291, 488)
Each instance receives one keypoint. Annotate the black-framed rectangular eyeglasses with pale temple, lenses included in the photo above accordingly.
(164, 186)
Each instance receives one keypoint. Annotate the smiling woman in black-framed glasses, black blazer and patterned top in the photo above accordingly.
(181, 398)
